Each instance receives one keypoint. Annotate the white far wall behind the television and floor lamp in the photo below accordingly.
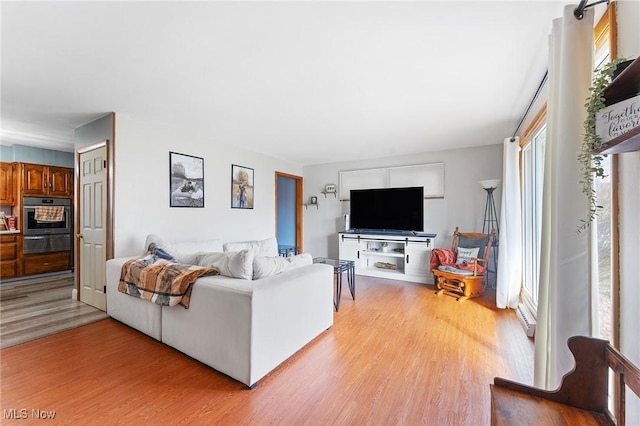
(463, 203)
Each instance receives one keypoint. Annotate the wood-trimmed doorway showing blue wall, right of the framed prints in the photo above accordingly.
(289, 210)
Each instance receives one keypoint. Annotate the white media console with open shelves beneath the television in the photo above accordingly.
(401, 256)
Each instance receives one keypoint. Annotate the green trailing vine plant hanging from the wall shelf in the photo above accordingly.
(590, 163)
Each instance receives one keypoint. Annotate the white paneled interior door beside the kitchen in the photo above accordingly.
(92, 237)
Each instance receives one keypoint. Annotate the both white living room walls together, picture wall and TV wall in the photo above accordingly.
(141, 201)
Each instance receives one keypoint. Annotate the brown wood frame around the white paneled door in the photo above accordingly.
(108, 145)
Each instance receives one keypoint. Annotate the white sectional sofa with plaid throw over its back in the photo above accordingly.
(243, 328)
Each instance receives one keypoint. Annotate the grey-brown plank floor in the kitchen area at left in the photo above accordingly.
(37, 307)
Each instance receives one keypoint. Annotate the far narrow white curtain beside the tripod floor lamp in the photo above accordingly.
(510, 259)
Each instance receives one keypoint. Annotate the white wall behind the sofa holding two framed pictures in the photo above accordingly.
(142, 188)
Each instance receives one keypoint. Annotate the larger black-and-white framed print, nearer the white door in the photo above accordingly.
(186, 184)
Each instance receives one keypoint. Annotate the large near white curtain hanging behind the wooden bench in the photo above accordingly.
(564, 301)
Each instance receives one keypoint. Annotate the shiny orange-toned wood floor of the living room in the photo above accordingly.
(398, 355)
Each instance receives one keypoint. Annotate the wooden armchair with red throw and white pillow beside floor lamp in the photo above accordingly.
(461, 272)
